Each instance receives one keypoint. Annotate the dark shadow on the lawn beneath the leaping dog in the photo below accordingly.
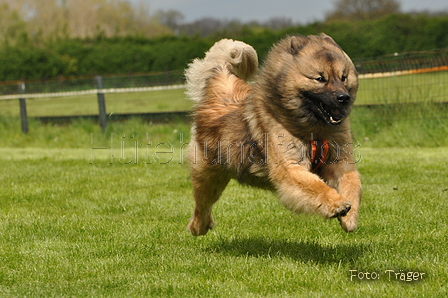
(303, 251)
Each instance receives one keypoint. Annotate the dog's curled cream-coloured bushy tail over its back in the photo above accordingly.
(237, 57)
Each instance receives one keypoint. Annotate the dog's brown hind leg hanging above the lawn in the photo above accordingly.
(207, 188)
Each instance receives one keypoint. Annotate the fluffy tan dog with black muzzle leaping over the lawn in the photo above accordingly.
(287, 130)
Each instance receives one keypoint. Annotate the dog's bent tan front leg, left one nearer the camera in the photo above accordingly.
(302, 191)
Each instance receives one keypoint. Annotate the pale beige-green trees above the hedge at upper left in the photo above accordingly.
(76, 19)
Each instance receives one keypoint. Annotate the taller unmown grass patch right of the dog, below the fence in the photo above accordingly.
(401, 125)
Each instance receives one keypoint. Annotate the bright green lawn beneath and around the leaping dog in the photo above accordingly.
(81, 222)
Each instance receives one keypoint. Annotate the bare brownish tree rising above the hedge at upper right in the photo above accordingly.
(359, 10)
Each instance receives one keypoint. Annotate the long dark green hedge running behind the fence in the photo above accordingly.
(366, 39)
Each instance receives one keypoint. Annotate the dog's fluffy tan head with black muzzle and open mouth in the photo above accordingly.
(313, 78)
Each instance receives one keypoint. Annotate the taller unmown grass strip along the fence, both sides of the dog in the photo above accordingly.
(413, 125)
